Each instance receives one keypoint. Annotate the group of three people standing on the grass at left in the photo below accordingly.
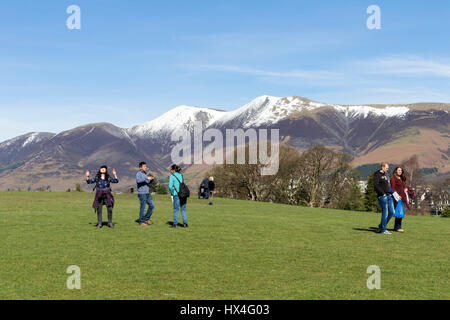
(104, 196)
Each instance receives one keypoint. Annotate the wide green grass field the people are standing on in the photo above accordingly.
(232, 250)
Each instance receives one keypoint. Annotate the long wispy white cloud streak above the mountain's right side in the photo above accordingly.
(374, 73)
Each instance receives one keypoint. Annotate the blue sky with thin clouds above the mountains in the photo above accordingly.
(134, 60)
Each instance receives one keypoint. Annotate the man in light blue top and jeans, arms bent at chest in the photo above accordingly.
(143, 181)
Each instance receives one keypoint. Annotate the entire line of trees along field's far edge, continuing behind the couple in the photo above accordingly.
(320, 177)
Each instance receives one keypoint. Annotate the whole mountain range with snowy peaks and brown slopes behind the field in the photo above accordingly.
(370, 133)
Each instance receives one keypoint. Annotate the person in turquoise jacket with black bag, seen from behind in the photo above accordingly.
(180, 193)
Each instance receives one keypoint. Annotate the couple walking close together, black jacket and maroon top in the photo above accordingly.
(393, 195)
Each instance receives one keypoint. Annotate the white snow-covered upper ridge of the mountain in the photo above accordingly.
(262, 111)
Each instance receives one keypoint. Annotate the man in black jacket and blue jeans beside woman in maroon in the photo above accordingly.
(382, 187)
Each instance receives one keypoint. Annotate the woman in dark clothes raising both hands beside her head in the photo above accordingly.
(103, 195)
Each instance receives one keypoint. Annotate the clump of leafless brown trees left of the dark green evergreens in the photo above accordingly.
(319, 177)
